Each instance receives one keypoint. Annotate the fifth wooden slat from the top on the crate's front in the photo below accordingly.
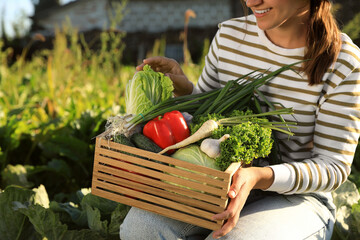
(165, 193)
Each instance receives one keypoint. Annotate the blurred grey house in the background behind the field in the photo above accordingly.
(144, 21)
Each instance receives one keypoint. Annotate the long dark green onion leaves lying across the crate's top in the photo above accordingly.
(234, 95)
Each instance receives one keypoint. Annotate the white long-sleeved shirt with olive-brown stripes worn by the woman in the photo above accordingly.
(318, 157)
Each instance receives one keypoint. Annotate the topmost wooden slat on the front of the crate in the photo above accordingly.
(162, 158)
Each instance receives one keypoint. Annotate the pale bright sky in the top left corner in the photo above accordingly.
(17, 12)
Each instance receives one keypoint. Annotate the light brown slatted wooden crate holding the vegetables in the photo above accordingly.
(160, 184)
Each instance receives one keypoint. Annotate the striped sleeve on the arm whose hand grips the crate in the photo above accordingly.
(336, 136)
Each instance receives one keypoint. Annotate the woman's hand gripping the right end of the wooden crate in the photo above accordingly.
(244, 180)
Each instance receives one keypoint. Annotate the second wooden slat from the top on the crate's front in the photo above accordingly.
(201, 177)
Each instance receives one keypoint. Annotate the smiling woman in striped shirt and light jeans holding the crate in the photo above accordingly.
(296, 201)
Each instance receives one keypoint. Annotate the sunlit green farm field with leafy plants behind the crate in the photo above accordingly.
(51, 108)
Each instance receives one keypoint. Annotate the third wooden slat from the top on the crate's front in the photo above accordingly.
(163, 176)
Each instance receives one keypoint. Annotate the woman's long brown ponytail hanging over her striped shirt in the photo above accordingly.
(323, 41)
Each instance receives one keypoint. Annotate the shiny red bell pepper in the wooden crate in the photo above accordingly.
(167, 130)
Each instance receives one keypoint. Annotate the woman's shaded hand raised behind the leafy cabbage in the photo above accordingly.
(172, 69)
